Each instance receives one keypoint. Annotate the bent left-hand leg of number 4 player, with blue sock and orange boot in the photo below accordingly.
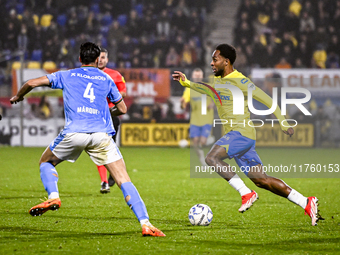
(49, 178)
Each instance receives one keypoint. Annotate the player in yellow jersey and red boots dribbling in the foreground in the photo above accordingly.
(239, 139)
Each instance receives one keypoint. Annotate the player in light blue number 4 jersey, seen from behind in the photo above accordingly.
(88, 127)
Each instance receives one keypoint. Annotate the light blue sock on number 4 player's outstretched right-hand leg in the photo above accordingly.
(135, 203)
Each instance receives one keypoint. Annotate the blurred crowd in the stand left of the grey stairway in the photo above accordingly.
(137, 33)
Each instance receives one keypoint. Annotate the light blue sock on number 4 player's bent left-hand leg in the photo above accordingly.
(49, 177)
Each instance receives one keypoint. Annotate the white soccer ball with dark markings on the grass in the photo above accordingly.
(200, 215)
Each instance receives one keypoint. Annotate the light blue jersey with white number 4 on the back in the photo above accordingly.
(84, 91)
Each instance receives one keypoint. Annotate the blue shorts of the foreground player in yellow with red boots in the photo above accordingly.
(241, 148)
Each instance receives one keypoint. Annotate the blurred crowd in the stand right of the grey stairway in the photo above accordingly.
(288, 34)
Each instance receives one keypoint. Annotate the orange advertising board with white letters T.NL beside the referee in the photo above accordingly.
(145, 82)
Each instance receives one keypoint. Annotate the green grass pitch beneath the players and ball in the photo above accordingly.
(91, 223)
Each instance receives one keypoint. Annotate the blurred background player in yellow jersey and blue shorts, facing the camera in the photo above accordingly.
(200, 125)
